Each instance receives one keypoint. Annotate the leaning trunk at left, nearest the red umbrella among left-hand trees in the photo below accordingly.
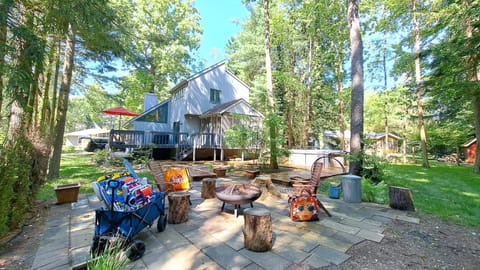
(54, 168)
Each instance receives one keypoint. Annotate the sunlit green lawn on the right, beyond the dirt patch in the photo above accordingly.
(447, 191)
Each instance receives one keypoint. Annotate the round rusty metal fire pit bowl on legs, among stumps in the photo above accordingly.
(237, 194)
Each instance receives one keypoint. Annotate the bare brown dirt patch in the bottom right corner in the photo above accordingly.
(432, 244)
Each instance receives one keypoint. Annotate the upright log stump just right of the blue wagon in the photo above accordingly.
(178, 207)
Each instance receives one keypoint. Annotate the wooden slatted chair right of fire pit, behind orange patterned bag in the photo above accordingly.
(309, 184)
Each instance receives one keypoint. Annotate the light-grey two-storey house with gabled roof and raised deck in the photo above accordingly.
(195, 116)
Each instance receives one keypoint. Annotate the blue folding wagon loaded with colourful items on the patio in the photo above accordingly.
(114, 223)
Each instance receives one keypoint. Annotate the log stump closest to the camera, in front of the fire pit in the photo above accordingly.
(257, 229)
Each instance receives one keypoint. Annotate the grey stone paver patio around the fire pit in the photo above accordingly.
(211, 239)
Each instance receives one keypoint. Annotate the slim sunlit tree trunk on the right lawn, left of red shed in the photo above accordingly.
(418, 87)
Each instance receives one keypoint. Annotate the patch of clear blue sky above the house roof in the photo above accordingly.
(218, 19)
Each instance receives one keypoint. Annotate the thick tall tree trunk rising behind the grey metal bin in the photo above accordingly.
(356, 120)
